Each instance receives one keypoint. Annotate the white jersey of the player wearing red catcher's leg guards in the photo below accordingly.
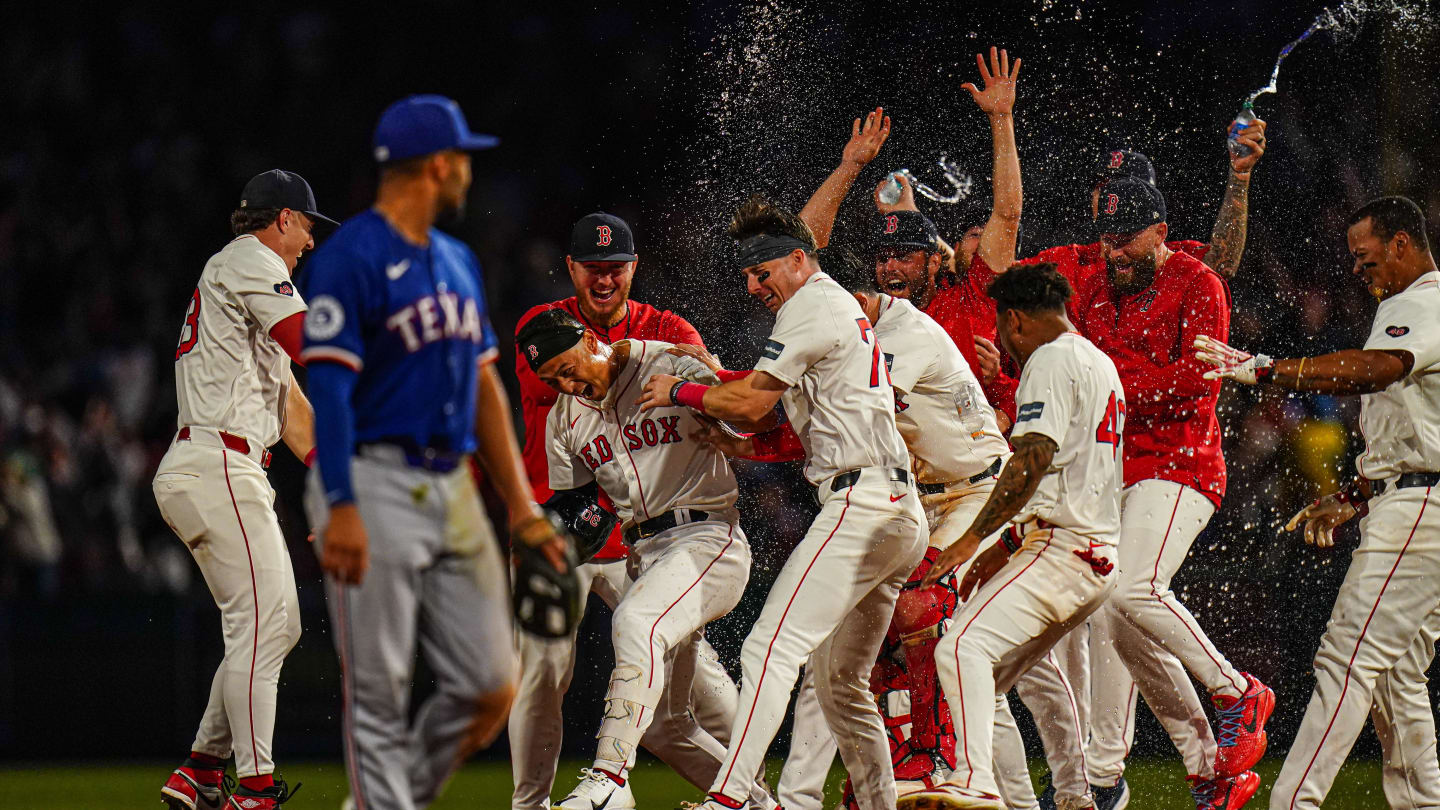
(941, 409)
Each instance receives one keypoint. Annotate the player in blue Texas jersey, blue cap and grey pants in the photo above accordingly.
(402, 374)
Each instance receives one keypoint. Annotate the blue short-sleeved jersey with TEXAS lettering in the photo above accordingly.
(411, 321)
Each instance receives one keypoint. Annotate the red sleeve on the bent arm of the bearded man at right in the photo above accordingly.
(1156, 390)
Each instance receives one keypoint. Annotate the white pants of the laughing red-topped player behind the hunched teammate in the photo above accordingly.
(689, 731)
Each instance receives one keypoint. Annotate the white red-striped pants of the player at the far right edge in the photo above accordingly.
(1373, 659)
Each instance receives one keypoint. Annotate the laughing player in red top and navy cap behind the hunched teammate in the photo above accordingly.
(603, 264)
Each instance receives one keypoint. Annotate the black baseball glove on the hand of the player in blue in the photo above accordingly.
(546, 602)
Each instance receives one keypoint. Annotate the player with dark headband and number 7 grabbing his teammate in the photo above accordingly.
(836, 595)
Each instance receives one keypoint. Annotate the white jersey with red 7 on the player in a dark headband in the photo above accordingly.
(840, 401)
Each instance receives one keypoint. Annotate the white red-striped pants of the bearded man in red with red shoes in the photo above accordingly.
(1146, 641)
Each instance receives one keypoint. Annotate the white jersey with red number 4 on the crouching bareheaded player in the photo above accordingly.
(1071, 393)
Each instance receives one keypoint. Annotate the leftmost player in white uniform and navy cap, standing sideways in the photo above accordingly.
(238, 397)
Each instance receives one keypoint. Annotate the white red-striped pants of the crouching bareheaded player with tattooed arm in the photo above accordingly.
(1007, 628)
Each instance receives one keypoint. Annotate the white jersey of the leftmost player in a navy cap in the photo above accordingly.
(230, 373)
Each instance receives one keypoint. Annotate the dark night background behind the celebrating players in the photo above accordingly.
(130, 130)
